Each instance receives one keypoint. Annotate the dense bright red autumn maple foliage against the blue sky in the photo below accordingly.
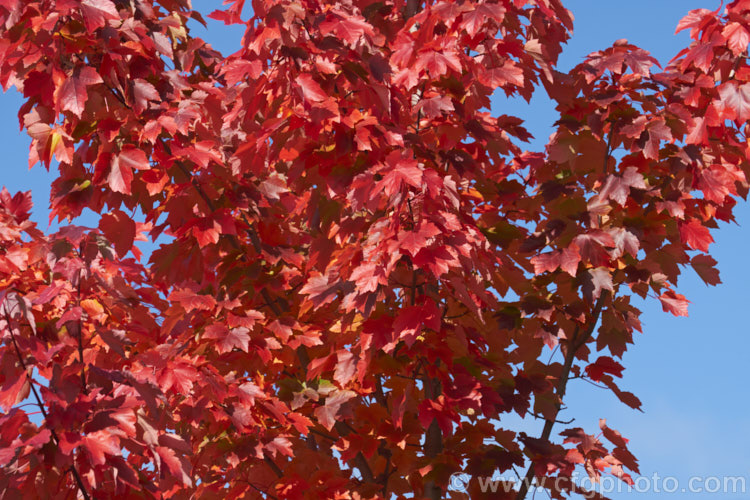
(356, 265)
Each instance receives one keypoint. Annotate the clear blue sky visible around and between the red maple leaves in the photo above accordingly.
(688, 372)
